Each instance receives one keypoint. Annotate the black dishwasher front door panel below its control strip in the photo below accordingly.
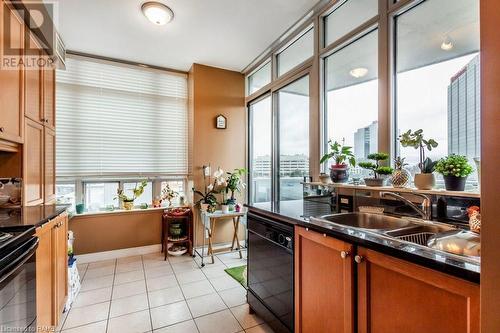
(270, 276)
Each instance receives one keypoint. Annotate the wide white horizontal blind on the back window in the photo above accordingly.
(114, 119)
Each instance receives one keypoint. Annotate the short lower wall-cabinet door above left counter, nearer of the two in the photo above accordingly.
(33, 163)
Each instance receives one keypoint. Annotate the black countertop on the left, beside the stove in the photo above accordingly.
(33, 216)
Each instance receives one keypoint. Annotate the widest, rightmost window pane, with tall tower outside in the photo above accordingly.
(437, 77)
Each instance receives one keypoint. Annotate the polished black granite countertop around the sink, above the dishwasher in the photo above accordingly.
(292, 212)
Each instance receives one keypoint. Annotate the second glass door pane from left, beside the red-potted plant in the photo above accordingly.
(293, 138)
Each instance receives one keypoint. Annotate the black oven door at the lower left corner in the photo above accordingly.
(18, 288)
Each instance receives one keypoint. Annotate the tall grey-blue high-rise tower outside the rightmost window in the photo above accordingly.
(464, 111)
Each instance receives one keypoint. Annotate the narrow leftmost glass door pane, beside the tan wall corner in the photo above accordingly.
(260, 129)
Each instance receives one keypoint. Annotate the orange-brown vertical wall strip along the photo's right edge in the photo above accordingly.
(490, 154)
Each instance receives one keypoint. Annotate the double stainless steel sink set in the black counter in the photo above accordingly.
(434, 235)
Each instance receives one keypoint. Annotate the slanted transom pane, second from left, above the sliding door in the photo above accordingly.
(297, 52)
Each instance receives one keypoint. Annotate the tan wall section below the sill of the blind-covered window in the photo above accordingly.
(114, 231)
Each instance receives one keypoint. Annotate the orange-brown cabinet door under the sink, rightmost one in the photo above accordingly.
(396, 296)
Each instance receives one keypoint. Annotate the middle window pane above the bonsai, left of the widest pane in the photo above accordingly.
(351, 91)
